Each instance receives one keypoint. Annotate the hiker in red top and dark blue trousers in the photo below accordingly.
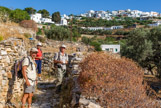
(38, 60)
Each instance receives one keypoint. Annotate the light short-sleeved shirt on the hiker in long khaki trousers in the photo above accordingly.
(61, 57)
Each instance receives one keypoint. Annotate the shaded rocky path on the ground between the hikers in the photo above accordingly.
(45, 96)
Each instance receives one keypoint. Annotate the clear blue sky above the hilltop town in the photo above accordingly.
(77, 7)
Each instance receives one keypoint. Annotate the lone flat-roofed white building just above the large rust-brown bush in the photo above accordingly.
(111, 48)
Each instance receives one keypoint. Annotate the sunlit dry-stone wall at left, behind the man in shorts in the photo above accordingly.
(11, 88)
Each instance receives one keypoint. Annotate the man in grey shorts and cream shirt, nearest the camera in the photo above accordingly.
(30, 78)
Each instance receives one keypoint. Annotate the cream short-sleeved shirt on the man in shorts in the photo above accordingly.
(31, 70)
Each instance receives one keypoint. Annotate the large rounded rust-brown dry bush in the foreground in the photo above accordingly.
(114, 82)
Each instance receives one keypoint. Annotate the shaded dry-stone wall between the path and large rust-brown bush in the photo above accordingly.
(70, 96)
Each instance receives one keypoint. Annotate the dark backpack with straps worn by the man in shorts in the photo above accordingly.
(18, 67)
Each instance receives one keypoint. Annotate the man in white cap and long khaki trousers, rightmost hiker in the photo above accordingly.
(60, 62)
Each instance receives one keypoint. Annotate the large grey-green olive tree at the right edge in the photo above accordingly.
(144, 47)
